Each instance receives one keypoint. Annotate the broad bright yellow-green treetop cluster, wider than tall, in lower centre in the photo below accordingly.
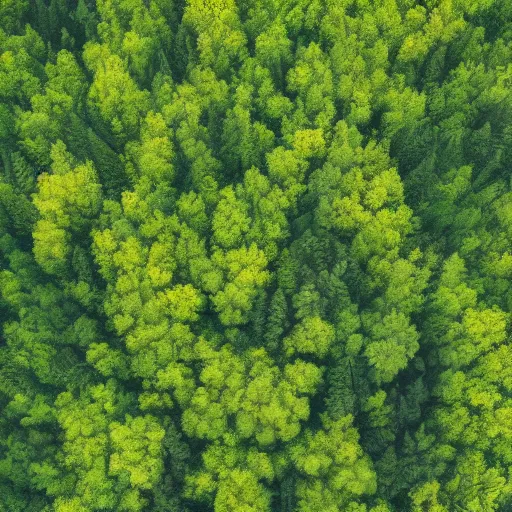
(265, 403)
